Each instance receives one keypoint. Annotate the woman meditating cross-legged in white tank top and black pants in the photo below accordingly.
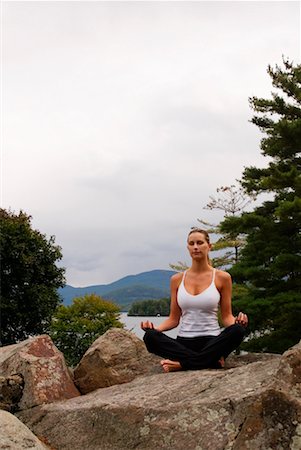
(196, 296)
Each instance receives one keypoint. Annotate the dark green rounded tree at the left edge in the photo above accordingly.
(29, 278)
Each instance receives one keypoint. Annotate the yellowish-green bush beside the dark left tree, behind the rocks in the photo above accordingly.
(74, 328)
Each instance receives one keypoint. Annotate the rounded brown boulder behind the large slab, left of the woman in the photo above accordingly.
(116, 357)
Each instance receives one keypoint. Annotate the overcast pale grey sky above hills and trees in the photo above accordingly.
(120, 119)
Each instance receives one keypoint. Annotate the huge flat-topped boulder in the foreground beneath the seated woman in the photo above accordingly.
(245, 407)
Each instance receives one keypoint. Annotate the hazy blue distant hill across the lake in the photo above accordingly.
(144, 286)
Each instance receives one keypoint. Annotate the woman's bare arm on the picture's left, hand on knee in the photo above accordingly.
(175, 311)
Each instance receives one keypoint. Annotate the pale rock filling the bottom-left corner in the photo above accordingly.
(15, 435)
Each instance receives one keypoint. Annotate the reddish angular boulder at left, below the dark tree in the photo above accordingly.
(42, 366)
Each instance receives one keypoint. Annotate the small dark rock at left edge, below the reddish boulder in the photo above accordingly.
(11, 390)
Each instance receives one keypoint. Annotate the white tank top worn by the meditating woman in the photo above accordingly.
(199, 312)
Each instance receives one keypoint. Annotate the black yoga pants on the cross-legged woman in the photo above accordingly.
(201, 352)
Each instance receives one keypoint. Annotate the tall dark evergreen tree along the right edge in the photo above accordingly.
(270, 262)
